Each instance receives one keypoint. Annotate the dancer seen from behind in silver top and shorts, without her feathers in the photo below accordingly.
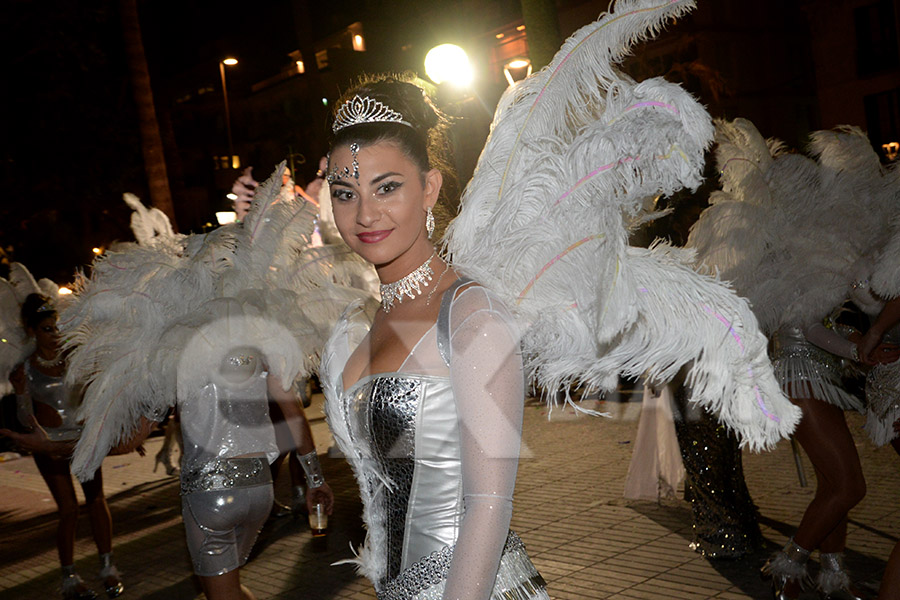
(226, 482)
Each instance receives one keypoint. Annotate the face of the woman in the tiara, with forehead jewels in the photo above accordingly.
(381, 215)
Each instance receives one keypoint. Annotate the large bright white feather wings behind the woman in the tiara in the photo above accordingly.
(574, 152)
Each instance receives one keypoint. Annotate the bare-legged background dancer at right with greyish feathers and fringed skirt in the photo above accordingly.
(779, 231)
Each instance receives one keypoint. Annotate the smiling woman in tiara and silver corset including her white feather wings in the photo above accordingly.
(426, 403)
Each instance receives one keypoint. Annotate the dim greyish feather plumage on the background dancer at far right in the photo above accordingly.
(796, 234)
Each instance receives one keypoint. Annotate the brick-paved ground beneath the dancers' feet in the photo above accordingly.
(585, 538)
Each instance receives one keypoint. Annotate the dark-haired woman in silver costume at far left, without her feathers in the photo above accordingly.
(46, 404)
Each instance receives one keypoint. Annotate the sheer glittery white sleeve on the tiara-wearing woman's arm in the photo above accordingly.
(488, 384)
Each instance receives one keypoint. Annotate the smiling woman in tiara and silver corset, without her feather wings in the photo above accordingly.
(426, 403)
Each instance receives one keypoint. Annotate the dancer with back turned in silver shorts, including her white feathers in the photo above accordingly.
(216, 325)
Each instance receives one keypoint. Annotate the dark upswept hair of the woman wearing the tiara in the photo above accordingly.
(424, 140)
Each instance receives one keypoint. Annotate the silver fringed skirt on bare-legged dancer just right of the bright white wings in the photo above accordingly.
(803, 368)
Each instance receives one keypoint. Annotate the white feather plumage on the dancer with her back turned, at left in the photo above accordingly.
(153, 321)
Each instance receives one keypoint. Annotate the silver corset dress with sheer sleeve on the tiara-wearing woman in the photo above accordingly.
(435, 450)
